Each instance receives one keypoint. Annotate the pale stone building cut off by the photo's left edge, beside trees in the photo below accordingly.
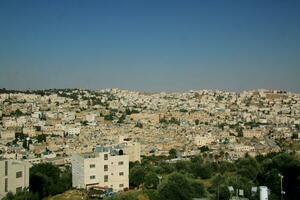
(14, 176)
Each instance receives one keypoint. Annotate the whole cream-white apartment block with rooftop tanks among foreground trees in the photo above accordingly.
(106, 167)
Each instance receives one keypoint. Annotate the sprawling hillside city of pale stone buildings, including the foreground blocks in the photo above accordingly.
(79, 128)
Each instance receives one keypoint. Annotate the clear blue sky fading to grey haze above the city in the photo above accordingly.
(153, 45)
